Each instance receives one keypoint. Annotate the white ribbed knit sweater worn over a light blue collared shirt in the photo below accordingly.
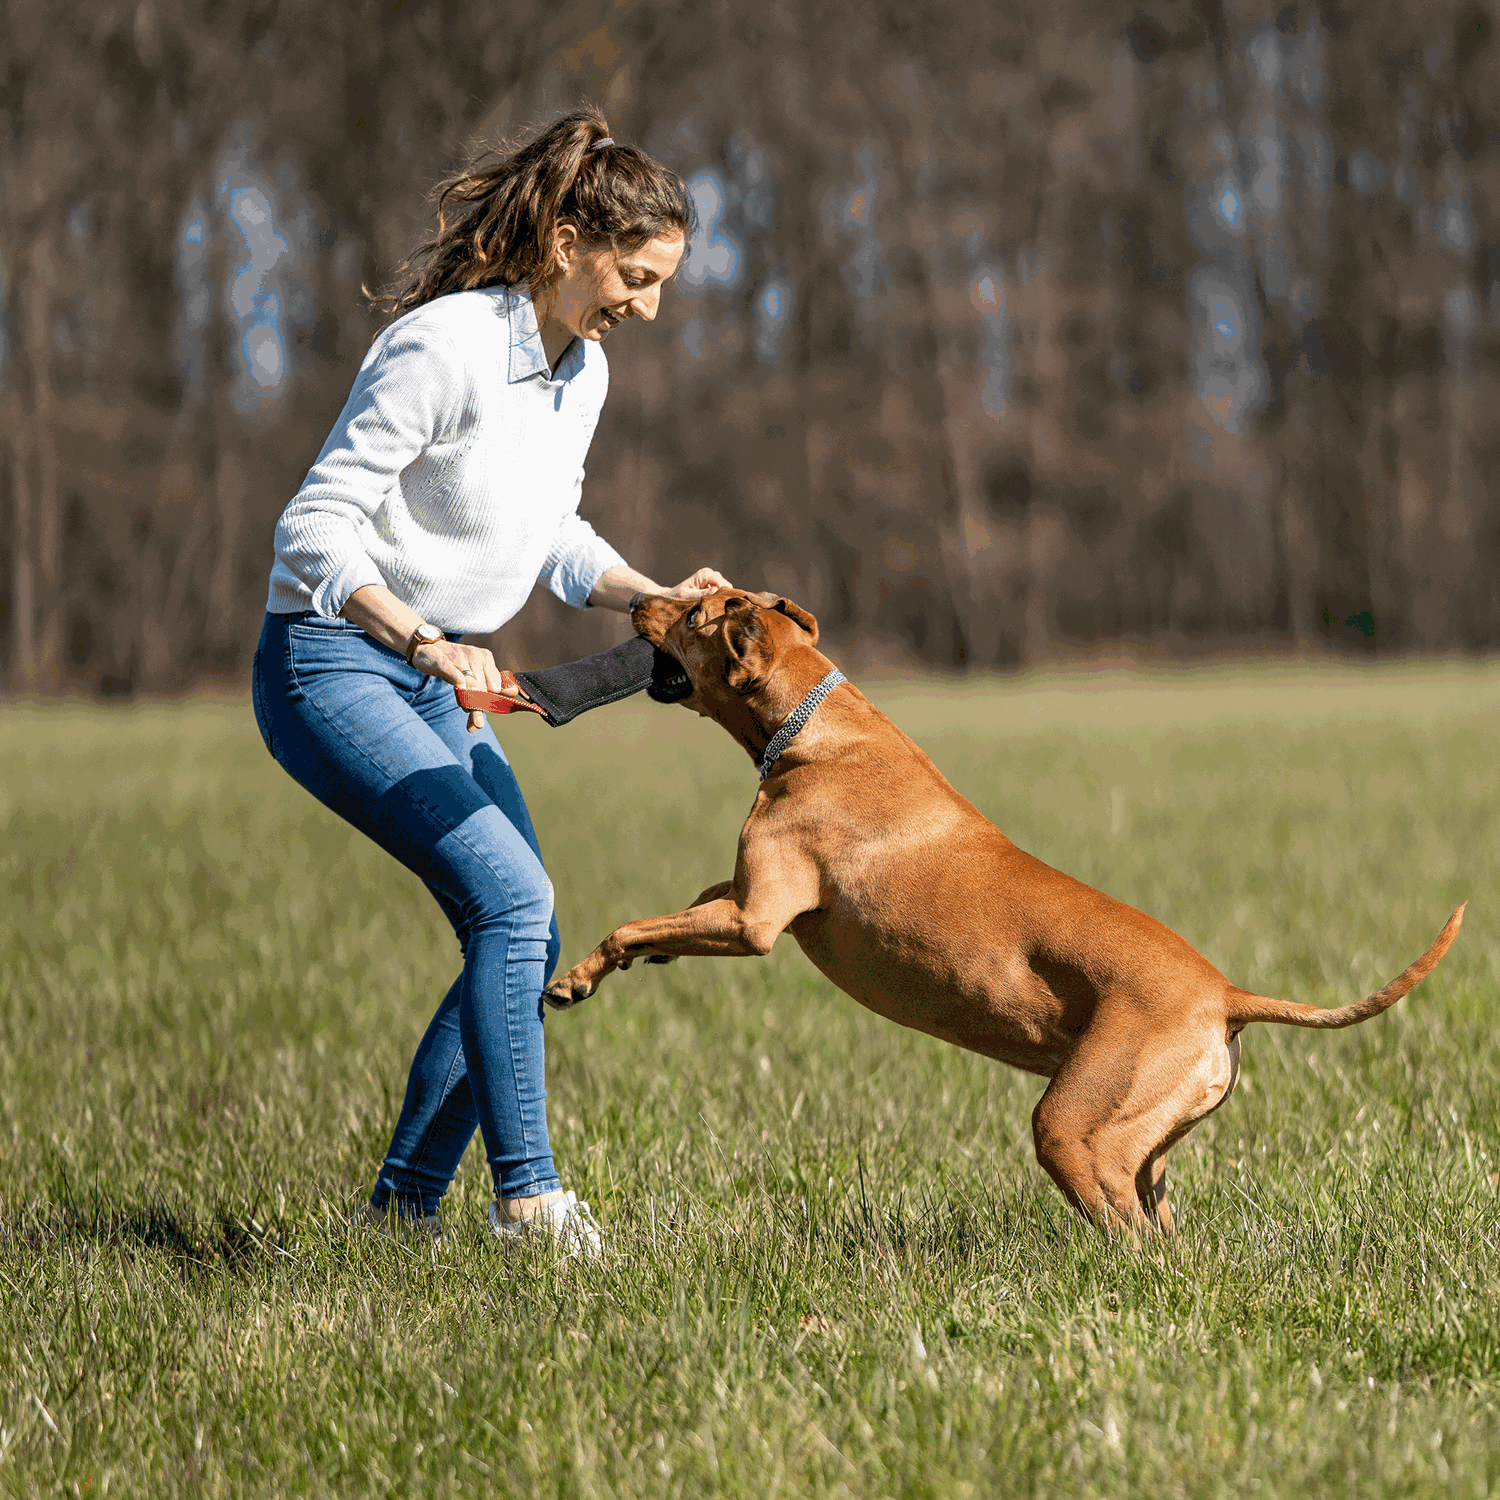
(454, 473)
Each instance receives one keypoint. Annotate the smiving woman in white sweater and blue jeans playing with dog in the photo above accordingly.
(448, 488)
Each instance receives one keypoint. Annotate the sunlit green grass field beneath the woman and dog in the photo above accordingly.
(836, 1268)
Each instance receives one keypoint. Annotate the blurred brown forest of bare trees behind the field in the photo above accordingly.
(1013, 329)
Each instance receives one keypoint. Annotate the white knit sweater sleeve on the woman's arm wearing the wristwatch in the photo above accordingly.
(410, 386)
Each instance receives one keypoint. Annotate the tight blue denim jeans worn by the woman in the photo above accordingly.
(386, 749)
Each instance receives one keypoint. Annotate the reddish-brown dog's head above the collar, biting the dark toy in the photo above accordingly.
(728, 640)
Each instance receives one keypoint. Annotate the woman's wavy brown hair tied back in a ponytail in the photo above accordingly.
(508, 206)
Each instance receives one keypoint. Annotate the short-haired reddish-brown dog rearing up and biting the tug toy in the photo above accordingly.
(922, 910)
